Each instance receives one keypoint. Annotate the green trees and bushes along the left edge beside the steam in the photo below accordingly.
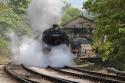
(12, 16)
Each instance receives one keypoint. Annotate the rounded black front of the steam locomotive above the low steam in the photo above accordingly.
(55, 36)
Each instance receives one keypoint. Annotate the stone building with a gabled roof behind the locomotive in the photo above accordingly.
(79, 27)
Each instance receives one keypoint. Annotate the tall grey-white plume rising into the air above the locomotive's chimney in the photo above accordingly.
(44, 13)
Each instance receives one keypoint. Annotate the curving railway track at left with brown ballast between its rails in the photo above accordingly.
(26, 75)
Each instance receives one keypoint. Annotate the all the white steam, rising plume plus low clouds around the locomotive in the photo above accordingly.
(26, 50)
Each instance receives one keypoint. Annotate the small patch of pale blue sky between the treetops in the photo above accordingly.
(77, 3)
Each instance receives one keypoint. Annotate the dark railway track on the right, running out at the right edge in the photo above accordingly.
(94, 77)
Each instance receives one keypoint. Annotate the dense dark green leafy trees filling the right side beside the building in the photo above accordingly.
(109, 34)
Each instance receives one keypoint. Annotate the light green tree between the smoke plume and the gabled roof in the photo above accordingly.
(70, 13)
